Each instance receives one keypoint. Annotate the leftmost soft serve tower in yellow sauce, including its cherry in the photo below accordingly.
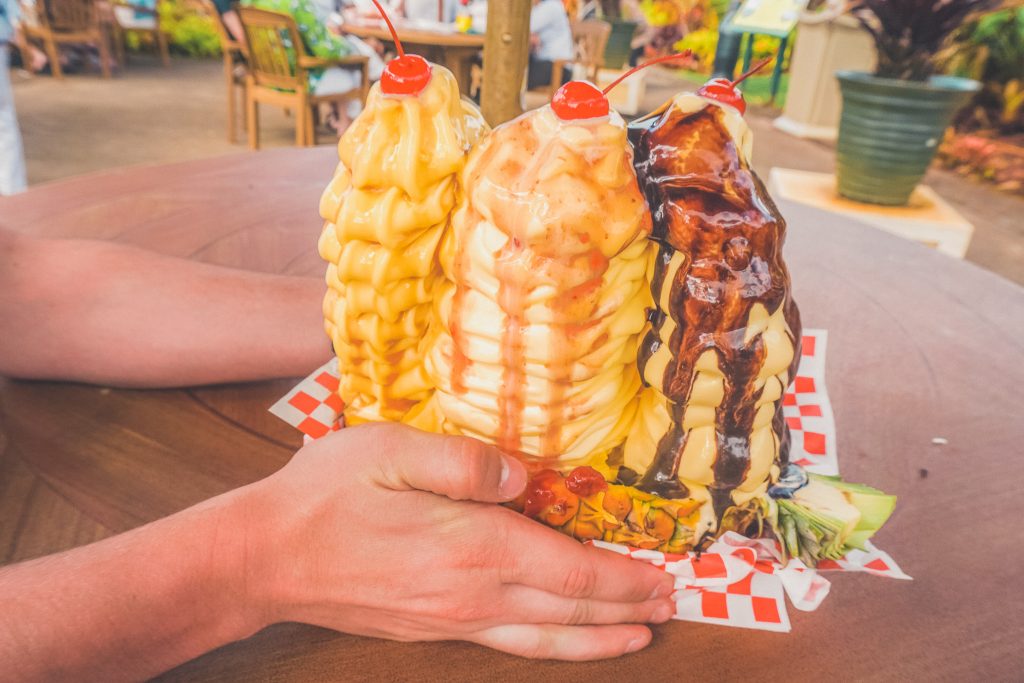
(387, 211)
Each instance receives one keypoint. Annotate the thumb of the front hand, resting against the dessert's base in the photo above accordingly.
(458, 467)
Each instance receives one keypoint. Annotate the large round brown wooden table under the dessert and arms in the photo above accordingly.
(921, 347)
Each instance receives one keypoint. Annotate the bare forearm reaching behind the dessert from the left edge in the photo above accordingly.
(96, 312)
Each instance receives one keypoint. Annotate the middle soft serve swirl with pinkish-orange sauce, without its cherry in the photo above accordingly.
(546, 291)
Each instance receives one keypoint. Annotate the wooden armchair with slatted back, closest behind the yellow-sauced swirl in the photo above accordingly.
(279, 68)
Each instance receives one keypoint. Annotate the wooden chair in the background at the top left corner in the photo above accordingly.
(69, 22)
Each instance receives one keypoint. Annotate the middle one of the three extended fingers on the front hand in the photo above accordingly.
(531, 606)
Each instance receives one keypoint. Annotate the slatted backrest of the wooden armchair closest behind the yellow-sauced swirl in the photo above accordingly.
(275, 46)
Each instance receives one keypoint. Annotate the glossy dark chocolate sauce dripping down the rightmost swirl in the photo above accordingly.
(709, 204)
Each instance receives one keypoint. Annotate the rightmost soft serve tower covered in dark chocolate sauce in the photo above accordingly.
(726, 335)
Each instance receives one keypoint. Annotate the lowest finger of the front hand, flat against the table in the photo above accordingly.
(576, 644)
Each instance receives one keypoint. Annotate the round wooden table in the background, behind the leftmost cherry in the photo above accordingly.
(451, 49)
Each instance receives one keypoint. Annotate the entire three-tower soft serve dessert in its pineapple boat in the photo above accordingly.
(612, 308)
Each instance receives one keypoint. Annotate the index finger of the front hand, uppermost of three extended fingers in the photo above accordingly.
(545, 560)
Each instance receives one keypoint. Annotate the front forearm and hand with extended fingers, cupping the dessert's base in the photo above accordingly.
(462, 569)
